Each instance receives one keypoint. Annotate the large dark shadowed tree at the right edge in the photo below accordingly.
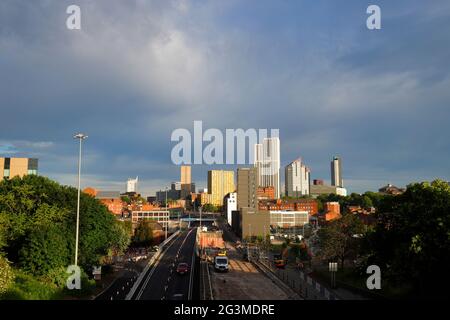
(411, 240)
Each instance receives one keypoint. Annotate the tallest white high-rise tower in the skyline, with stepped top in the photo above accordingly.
(267, 162)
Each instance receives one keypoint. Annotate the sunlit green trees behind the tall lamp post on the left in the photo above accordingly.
(37, 228)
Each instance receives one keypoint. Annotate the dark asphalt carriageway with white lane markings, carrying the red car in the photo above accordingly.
(162, 281)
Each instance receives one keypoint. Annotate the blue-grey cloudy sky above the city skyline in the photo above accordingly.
(137, 70)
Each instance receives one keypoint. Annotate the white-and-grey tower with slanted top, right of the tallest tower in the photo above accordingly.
(297, 179)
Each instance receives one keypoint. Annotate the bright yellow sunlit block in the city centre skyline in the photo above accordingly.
(220, 183)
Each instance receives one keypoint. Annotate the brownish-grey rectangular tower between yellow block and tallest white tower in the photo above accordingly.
(246, 188)
